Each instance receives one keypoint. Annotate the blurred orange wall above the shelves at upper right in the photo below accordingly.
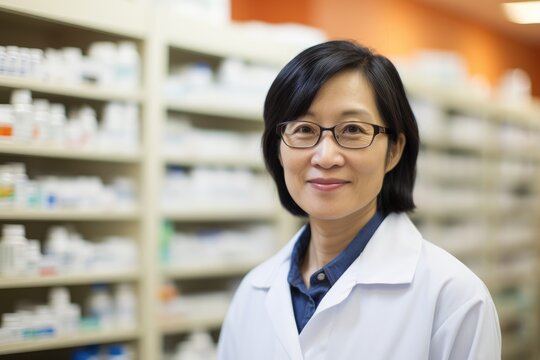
(399, 27)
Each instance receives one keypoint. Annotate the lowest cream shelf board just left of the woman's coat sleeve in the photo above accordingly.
(207, 320)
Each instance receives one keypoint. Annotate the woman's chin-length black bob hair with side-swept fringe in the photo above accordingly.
(294, 89)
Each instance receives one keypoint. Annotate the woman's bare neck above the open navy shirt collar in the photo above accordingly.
(329, 238)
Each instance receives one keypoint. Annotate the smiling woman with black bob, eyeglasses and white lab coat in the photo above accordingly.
(358, 281)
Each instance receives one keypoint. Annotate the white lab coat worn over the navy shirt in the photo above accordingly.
(402, 298)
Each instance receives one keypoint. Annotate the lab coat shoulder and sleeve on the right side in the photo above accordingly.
(465, 321)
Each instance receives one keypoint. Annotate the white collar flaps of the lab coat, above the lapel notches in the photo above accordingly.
(390, 257)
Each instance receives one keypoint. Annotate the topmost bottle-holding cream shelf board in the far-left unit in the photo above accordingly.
(83, 91)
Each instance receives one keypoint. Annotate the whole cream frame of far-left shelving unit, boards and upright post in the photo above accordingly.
(38, 24)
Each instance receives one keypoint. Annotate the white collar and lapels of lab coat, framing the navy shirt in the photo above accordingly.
(390, 257)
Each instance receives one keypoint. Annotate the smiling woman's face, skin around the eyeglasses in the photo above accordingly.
(330, 182)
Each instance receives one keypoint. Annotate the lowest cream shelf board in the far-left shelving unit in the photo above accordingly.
(69, 341)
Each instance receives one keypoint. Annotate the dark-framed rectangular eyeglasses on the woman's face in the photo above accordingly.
(350, 135)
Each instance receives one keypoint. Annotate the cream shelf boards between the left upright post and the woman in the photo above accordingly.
(212, 44)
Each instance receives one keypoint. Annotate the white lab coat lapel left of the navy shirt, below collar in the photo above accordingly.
(280, 312)
